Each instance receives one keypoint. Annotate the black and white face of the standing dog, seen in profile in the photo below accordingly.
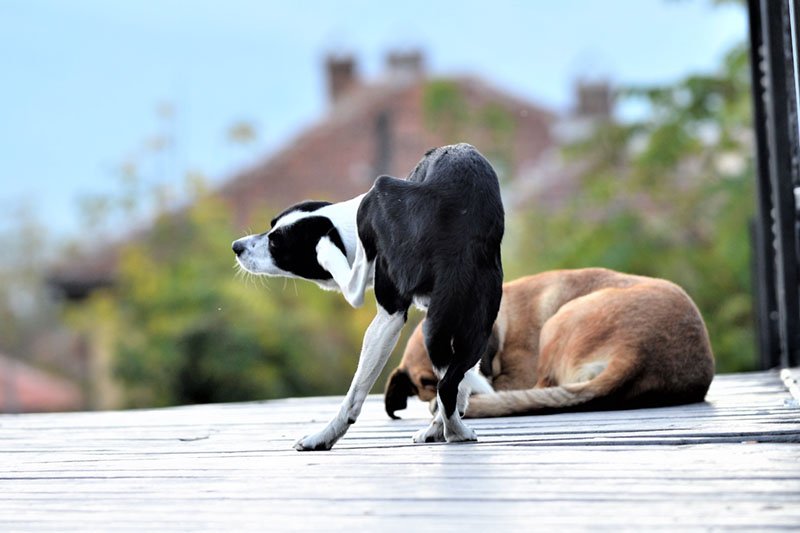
(289, 247)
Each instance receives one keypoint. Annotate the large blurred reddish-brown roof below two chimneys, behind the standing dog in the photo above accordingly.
(338, 157)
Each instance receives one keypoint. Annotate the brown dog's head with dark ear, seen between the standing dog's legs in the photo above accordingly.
(414, 376)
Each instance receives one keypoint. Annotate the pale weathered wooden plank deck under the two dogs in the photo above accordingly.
(731, 463)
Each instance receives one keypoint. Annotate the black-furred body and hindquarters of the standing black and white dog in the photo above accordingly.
(437, 235)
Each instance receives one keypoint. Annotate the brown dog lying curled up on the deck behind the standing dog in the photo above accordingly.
(577, 339)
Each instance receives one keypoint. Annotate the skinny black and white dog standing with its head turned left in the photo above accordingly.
(432, 239)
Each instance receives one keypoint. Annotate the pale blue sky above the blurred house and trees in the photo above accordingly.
(85, 83)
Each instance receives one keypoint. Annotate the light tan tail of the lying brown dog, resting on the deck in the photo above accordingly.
(514, 402)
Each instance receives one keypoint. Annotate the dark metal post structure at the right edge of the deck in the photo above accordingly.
(773, 38)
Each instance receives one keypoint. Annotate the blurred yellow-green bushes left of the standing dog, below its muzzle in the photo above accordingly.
(187, 329)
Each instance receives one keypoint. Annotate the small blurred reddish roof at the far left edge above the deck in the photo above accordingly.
(26, 389)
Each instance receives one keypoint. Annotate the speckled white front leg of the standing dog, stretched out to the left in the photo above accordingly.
(379, 341)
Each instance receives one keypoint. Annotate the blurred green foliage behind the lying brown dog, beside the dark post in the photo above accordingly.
(667, 196)
